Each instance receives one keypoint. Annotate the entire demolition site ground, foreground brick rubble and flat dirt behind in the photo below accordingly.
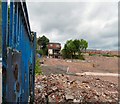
(94, 79)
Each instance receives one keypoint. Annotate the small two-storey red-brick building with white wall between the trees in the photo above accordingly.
(54, 50)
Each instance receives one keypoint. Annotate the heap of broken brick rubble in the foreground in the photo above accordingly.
(59, 88)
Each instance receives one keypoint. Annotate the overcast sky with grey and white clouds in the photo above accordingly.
(96, 22)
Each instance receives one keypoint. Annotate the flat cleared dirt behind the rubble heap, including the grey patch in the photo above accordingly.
(97, 64)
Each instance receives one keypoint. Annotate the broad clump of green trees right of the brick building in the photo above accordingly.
(73, 49)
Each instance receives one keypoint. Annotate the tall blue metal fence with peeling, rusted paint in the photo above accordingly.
(18, 54)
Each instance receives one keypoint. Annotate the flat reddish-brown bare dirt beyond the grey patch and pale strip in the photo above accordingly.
(90, 64)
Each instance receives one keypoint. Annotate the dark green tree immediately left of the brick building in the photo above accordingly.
(43, 42)
